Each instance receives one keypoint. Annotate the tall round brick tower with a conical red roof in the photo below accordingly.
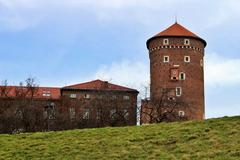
(176, 62)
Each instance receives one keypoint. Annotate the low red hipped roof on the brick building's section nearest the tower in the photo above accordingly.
(99, 85)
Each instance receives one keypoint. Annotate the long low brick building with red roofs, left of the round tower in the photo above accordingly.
(92, 104)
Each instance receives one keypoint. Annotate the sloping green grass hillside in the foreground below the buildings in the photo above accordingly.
(210, 139)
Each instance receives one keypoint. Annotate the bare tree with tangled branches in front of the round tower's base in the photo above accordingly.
(166, 108)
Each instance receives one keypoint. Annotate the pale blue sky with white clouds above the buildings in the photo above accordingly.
(63, 42)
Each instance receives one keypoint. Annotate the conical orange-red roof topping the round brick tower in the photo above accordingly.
(177, 30)
